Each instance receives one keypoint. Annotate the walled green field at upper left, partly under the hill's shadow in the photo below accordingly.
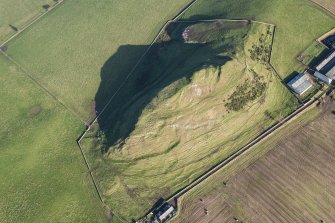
(66, 50)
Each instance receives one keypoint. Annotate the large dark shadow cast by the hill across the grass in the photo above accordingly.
(166, 63)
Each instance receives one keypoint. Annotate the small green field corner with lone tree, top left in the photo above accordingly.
(18, 13)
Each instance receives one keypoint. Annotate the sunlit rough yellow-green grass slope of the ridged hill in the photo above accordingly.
(178, 138)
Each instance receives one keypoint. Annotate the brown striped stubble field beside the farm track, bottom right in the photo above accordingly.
(286, 178)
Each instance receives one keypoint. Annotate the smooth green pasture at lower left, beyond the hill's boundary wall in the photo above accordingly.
(43, 177)
